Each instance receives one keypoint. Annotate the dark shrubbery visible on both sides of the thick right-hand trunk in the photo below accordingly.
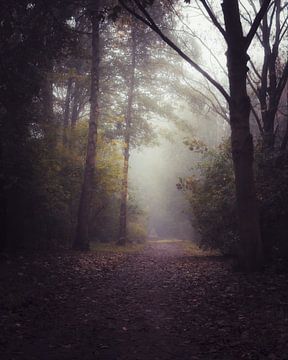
(214, 205)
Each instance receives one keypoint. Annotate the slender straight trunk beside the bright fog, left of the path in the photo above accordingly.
(124, 192)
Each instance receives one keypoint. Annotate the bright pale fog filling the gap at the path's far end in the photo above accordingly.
(153, 176)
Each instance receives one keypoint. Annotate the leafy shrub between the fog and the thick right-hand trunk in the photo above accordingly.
(213, 202)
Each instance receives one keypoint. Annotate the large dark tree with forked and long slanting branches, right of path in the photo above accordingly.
(250, 252)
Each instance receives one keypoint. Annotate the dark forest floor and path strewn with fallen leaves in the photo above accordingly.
(160, 303)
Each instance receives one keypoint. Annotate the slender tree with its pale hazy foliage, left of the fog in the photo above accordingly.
(133, 106)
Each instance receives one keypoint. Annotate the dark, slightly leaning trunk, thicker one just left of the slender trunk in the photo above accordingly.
(81, 241)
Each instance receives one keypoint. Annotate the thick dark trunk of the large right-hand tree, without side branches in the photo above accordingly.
(242, 142)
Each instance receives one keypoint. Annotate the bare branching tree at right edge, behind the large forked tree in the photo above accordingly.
(268, 82)
